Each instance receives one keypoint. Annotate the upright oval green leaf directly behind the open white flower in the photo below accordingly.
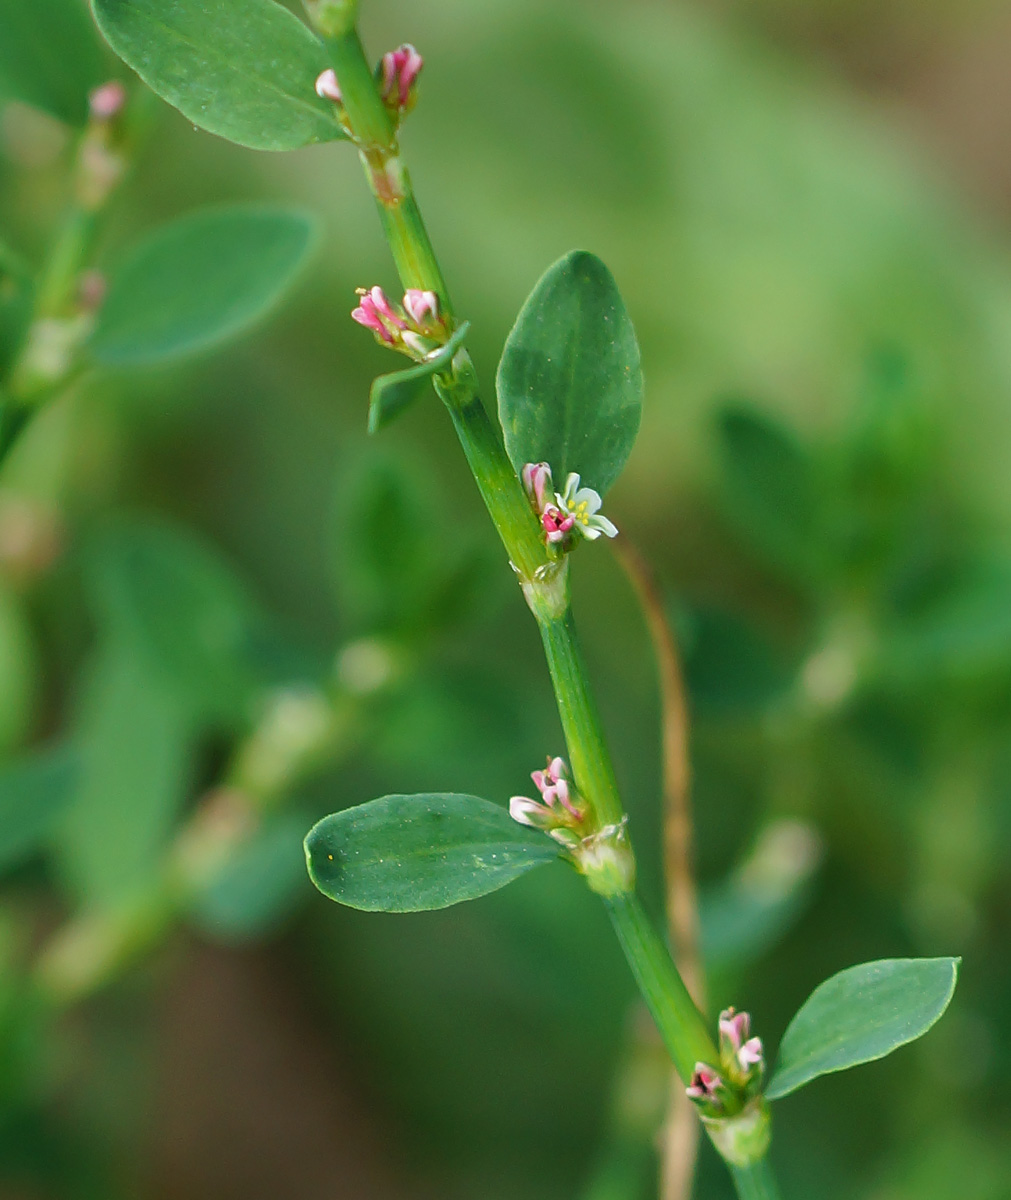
(570, 382)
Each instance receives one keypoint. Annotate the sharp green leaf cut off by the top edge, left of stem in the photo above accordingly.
(246, 70)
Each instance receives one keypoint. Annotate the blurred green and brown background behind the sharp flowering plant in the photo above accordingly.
(805, 203)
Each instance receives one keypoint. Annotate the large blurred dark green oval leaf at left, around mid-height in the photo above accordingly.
(170, 601)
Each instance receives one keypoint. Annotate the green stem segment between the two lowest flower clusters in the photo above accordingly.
(681, 1027)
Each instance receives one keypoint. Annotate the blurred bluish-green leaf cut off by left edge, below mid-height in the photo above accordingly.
(34, 794)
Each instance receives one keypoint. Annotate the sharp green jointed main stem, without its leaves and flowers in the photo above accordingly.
(543, 579)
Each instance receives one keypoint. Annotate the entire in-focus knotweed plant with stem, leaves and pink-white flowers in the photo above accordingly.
(570, 392)
